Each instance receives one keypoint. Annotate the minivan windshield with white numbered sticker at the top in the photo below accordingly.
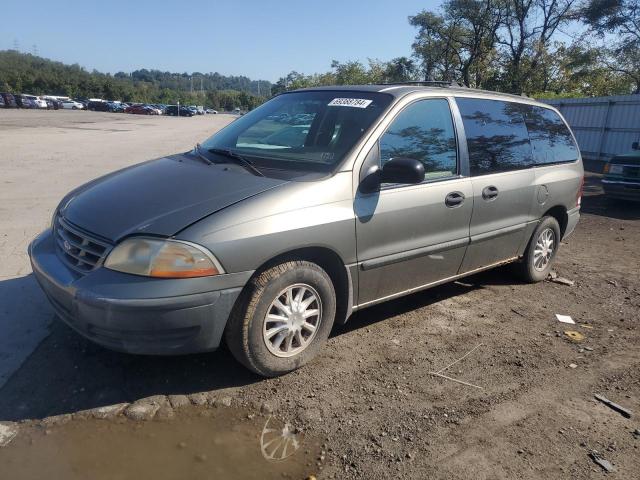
(311, 130)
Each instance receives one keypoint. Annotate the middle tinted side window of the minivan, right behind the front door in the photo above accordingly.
(496, 135)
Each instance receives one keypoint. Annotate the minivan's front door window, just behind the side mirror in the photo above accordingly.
(424, 131)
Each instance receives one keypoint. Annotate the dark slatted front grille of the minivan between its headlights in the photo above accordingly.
(79, 250)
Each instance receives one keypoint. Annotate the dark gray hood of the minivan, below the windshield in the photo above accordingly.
(160, 197)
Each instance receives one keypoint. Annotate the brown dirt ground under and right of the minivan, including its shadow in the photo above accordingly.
(369, 400)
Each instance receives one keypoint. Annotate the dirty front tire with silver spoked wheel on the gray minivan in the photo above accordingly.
(247, 328)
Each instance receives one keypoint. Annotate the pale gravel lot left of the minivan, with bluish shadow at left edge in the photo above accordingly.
(44, 154)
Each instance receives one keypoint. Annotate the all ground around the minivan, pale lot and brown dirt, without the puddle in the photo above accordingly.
(369, 398)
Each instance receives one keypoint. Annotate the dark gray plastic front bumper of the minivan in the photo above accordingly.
(137, 314)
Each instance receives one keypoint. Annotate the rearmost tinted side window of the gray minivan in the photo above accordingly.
(550, 138)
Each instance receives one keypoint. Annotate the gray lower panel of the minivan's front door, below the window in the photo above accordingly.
(407, 237)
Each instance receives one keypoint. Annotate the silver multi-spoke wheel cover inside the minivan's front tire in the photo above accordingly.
(292, 320)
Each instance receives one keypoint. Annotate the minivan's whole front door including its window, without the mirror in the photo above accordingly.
(409, 236)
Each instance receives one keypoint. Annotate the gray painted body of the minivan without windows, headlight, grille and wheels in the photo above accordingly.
(392, 242)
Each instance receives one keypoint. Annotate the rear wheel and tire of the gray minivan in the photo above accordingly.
(533, 267)
